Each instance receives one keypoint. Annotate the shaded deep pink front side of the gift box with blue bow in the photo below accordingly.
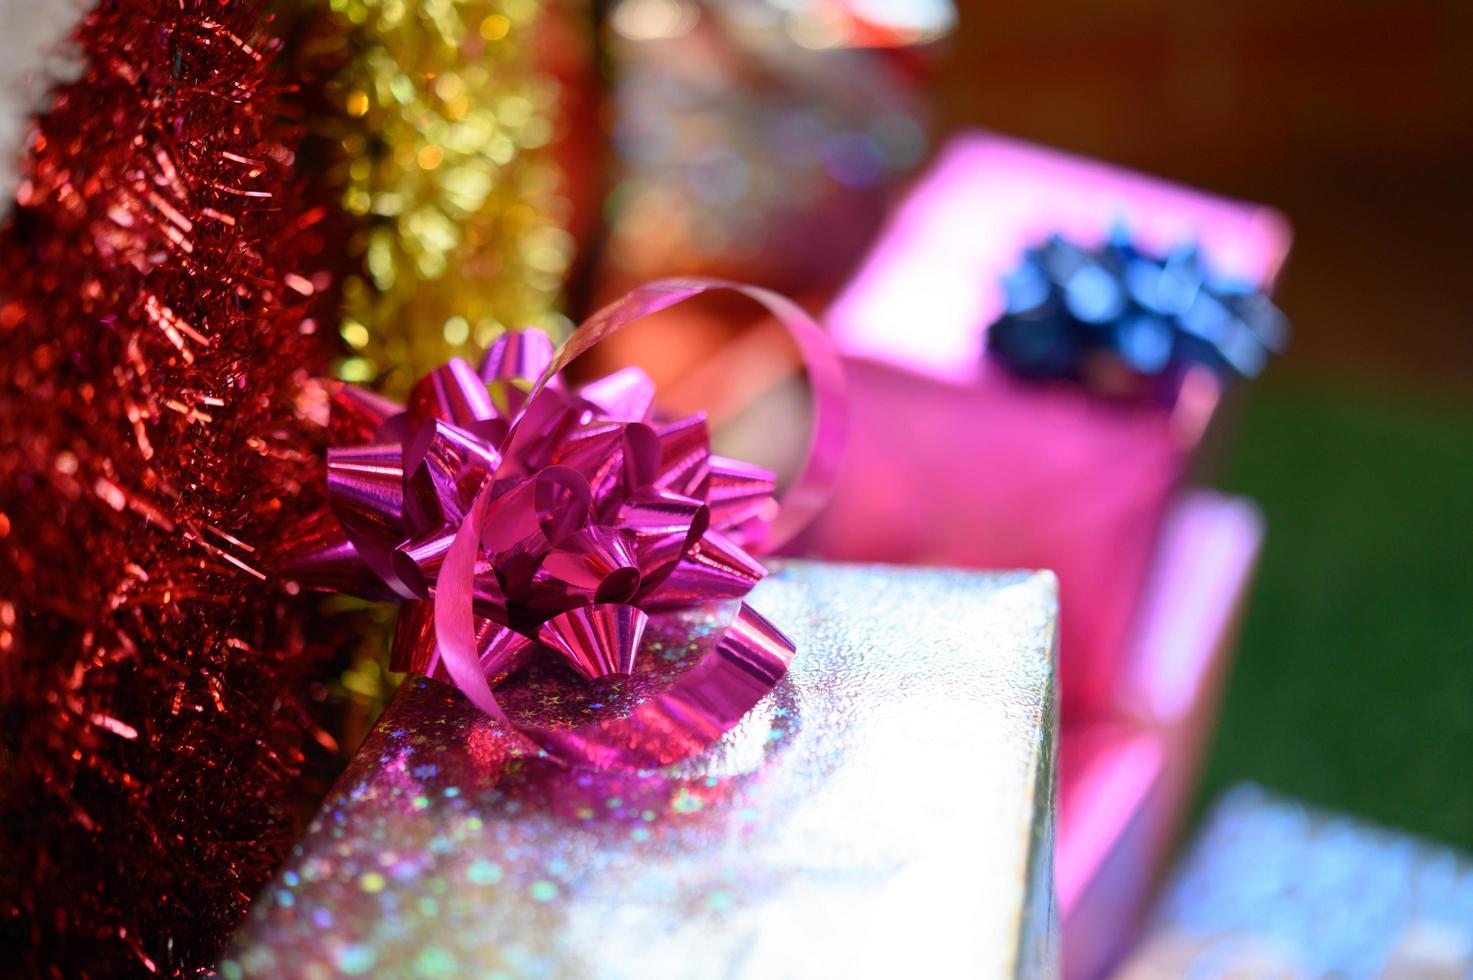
(1005, 477)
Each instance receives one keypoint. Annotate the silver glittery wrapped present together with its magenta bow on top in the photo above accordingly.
(628, 769)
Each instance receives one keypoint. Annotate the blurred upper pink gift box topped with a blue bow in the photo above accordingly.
(1022, 474)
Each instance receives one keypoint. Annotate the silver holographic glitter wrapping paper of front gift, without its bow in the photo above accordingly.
(887, 808)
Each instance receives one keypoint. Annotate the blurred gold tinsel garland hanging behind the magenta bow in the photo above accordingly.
(459, 225)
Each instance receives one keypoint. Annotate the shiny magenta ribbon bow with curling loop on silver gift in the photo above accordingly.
(519, 521)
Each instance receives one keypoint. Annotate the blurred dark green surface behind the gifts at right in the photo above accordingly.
(1354, 679)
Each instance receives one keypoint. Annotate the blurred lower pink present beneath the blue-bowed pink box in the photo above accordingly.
(1128, 777)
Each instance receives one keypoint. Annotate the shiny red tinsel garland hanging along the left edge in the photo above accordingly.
(158, 288)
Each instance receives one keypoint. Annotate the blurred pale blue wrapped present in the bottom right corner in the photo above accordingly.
(1278, 889)
